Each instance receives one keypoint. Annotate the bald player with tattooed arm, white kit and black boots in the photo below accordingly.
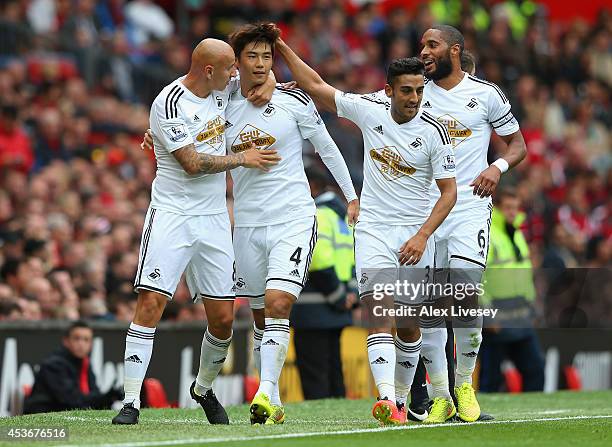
(187, 227)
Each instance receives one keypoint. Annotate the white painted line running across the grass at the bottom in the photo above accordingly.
(205, 441)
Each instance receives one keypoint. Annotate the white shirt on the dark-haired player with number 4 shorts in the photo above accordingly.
(281, 194)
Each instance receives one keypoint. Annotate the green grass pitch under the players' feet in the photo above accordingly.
(559, 419)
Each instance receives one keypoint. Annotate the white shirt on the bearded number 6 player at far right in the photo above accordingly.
(469, 111)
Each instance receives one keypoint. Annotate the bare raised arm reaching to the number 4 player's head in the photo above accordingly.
(308, 79)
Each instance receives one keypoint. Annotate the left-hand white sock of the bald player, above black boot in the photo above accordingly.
(138, 350)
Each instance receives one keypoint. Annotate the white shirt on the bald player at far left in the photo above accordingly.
(178, 118)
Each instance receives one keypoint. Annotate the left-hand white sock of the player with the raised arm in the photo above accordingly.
(381, 355)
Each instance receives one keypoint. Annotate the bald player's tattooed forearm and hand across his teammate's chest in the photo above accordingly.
(194, 162)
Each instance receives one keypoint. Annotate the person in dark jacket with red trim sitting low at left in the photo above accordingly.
(65, 380)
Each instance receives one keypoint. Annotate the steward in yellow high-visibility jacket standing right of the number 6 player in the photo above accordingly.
(509, 288)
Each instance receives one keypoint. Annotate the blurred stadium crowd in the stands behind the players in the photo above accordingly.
(77, 78)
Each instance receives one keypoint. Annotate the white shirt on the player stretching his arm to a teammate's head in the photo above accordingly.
(400, 160)
